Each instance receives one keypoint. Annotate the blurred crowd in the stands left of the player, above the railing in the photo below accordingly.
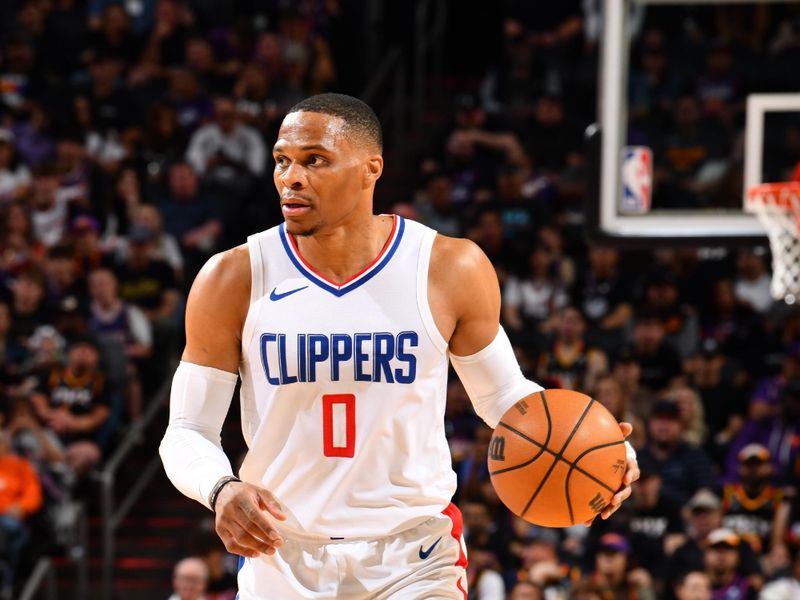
(134, 143)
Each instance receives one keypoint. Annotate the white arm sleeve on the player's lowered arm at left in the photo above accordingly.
(191, 449)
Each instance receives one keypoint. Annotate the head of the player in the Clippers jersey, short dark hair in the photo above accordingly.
(327, 160)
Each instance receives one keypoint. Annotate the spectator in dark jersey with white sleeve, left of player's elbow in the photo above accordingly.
(124, 334)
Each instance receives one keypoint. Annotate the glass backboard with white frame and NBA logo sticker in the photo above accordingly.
(676, 170)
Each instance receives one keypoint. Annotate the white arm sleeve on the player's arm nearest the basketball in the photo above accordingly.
(493, 379)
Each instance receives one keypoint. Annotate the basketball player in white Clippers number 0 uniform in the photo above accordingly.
(340, 324)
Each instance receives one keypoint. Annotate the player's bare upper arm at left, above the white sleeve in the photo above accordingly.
(215, 312)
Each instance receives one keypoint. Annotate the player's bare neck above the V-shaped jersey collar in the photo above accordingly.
(341, 252)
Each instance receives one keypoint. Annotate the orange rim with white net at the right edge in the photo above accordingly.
(777, 206)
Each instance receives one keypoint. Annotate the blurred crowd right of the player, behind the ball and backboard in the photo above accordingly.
(686, 344)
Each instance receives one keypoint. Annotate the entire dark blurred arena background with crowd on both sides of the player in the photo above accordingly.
(135, 142)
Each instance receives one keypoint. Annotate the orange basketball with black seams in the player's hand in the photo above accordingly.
(556, 458)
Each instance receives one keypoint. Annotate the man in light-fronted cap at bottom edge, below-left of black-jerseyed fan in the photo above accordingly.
(722, 561)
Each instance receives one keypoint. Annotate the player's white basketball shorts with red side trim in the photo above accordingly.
(428, 561)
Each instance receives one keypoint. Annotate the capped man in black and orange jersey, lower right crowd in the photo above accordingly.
(754, 508)
